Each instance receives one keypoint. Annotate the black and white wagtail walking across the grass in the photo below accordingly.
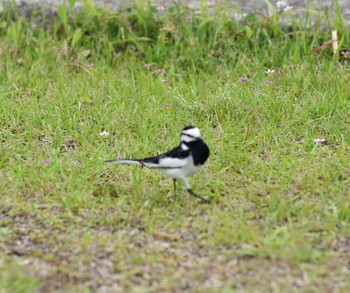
(181, 162)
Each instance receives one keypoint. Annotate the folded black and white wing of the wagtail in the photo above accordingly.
(176, 158)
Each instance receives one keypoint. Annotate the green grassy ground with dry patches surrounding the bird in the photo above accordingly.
(280, 214)
